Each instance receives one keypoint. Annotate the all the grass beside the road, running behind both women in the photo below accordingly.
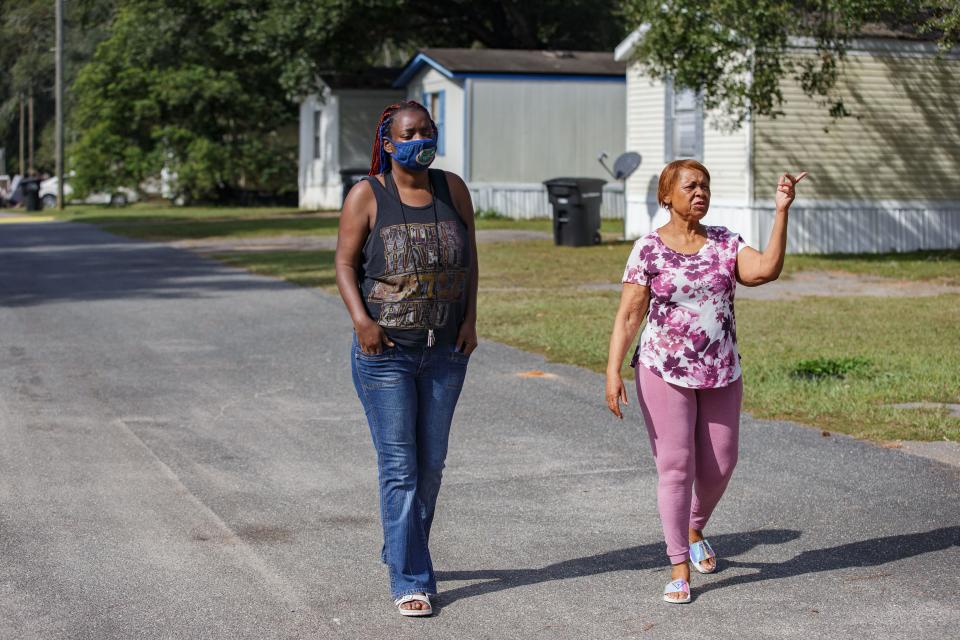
(833, 363)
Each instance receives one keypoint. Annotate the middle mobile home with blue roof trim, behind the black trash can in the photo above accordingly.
(510, 119)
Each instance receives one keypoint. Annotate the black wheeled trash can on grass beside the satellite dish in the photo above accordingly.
(576, 210)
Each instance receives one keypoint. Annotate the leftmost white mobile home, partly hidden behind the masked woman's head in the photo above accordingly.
(336, 132)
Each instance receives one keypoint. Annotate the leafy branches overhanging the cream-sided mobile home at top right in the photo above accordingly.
(737, 52)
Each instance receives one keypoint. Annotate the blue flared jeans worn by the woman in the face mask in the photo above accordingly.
(409, 395)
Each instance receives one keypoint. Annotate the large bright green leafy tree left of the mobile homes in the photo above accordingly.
(182, 84)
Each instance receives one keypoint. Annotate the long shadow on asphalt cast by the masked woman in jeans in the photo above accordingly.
(649, 556)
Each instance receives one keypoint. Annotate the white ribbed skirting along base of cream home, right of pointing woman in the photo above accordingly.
(867, 229)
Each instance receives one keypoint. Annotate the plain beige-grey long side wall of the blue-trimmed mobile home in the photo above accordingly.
(529, 131)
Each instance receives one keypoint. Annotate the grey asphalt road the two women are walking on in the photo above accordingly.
(182, 455)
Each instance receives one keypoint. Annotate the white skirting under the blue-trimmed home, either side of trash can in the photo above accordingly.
(524, 201)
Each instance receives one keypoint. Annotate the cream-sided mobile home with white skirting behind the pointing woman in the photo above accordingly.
(881, 180)
